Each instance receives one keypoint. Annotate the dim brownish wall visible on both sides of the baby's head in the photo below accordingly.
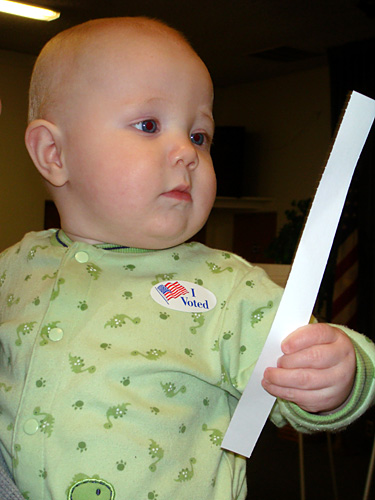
(287, 119)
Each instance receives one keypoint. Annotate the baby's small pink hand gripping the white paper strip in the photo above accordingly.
(317, 369)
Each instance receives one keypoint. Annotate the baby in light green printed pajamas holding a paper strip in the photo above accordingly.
(124, 350)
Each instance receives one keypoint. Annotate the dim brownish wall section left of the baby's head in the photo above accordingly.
(21, 191)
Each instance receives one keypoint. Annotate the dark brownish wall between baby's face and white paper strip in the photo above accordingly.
(288, 129)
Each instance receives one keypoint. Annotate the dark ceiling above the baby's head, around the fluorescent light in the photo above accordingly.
(240, 40)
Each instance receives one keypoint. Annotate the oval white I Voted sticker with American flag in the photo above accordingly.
(183, 296)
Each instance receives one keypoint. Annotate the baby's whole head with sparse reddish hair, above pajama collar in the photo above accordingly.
(120, 129)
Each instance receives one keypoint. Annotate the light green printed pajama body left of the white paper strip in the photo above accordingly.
(108, 380)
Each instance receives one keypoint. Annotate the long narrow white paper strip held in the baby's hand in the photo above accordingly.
(307, 271)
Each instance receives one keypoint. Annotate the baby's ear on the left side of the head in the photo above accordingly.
(43, 143)
